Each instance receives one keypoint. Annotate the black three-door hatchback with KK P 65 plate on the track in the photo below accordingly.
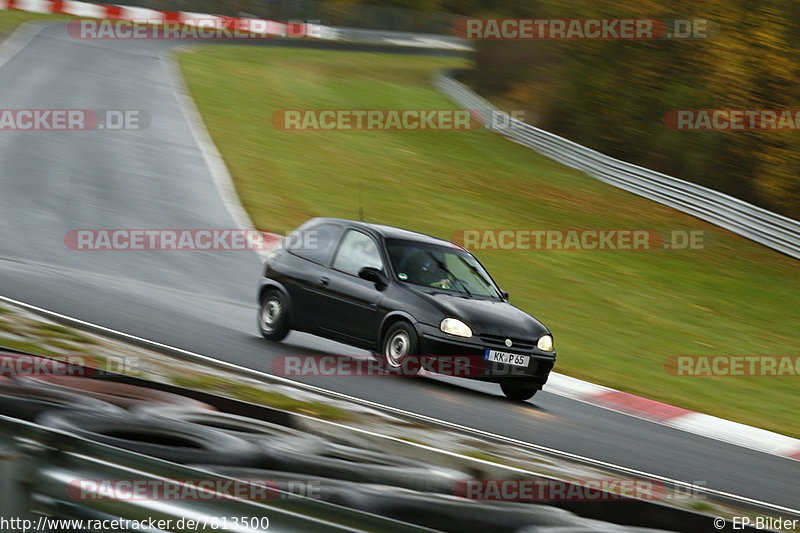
(401, 294)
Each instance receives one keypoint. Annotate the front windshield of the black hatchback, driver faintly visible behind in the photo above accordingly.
(440, 267)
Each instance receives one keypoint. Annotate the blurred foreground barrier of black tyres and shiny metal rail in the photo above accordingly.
(208, 462)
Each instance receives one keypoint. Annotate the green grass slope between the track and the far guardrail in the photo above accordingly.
(616, 316)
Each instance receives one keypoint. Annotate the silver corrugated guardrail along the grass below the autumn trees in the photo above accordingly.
(760, 225)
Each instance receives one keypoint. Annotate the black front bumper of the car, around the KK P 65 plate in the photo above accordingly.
(469, 355)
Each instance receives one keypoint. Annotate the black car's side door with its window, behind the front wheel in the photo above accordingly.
(350, 304)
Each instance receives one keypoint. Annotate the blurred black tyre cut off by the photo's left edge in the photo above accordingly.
(28, 403)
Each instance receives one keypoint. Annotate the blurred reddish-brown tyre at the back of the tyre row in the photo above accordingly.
(121, 394)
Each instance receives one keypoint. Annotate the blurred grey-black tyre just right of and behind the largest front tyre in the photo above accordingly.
(257, 431)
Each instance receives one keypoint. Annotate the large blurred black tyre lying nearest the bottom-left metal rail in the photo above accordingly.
(171, 440)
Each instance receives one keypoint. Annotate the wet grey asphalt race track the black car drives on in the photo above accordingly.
(53, 182)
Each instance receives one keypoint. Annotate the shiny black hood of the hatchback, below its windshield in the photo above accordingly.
(483, 316)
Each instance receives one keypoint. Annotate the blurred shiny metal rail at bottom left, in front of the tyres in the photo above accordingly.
(38, 466)
